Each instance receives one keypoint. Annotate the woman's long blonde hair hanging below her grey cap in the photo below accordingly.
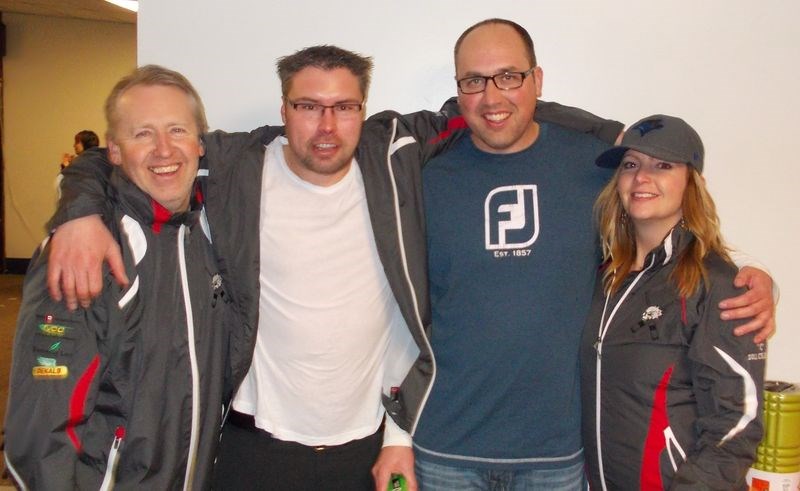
(619, 245)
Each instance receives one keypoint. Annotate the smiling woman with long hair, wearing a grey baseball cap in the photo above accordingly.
(670, 396)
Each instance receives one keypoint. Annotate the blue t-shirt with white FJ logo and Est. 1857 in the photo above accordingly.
(512, 255)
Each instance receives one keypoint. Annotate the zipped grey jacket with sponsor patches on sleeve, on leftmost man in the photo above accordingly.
(128, 393)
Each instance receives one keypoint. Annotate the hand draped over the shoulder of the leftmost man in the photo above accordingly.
(75, 264)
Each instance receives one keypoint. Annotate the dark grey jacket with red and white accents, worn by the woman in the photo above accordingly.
(671, 398)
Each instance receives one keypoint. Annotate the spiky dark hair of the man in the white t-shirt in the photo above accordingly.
(325, 57)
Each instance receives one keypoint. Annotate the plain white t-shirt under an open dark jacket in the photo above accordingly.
(325, 311)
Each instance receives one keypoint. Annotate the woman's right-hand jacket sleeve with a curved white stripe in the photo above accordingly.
(728, 381)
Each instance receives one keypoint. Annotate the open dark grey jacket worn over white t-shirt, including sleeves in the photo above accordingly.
(390, 154)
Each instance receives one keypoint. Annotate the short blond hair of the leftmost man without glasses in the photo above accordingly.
(154, 75)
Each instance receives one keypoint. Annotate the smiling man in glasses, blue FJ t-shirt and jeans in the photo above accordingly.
(512, 257)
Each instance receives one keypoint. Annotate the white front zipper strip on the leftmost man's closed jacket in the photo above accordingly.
(187, 304)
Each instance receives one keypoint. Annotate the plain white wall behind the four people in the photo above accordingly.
(730, 67)
